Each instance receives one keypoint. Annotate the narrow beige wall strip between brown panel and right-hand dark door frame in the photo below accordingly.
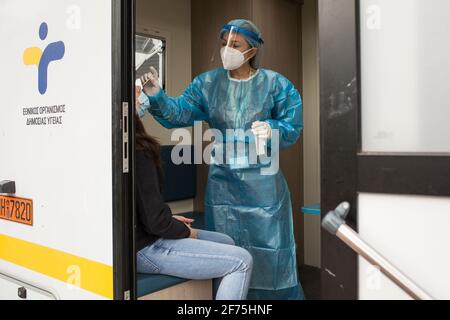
(311, 102)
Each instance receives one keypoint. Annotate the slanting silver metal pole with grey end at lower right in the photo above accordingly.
(334, 223)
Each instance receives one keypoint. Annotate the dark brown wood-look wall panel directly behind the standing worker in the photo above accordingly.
(280, 23)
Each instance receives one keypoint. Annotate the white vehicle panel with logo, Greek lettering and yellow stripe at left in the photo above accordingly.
(66, 141)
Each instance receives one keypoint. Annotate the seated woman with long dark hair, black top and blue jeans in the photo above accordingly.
(168, 244)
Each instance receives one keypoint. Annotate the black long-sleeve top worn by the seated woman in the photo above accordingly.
(154, 217)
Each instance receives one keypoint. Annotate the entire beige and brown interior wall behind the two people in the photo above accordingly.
(289, 29)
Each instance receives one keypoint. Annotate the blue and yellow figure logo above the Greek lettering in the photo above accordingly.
(35, 57)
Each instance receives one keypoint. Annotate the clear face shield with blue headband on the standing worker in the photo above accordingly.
(238, 46)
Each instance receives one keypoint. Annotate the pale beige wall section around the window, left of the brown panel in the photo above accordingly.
(170, 19)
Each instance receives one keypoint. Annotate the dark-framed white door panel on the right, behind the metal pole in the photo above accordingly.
(385, 147)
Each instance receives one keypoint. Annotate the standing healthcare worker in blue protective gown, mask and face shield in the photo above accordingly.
(251, 207)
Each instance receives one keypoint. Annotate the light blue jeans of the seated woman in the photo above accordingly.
(211, 256)
